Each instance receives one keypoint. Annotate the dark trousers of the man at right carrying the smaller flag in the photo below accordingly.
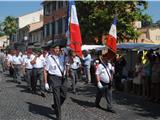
(107, 91)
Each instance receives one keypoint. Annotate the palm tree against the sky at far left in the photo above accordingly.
(10, 26)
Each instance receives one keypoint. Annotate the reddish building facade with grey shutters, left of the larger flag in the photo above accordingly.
(55, 13)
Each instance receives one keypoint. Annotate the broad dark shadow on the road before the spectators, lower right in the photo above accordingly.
(139, 105)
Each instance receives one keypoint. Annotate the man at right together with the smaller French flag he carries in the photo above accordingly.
(105, 71)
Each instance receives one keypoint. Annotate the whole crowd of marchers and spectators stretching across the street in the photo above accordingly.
(53, 69)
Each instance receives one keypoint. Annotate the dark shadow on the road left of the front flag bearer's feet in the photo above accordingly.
(41, 110)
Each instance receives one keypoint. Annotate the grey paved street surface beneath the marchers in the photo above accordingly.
(16, 103)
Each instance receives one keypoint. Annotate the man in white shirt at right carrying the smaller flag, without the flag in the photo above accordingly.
(104, 75)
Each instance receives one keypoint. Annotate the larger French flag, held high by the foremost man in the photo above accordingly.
(74, 35)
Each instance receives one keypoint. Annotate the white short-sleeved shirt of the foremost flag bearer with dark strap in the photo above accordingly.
(52, 67)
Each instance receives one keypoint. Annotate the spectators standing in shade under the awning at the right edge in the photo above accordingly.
(146, 80)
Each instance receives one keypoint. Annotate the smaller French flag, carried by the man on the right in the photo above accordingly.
(112, 37)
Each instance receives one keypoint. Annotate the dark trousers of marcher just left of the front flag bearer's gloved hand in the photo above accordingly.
(38, 75)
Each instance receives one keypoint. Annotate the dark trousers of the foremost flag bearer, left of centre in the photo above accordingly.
(59, 90)
